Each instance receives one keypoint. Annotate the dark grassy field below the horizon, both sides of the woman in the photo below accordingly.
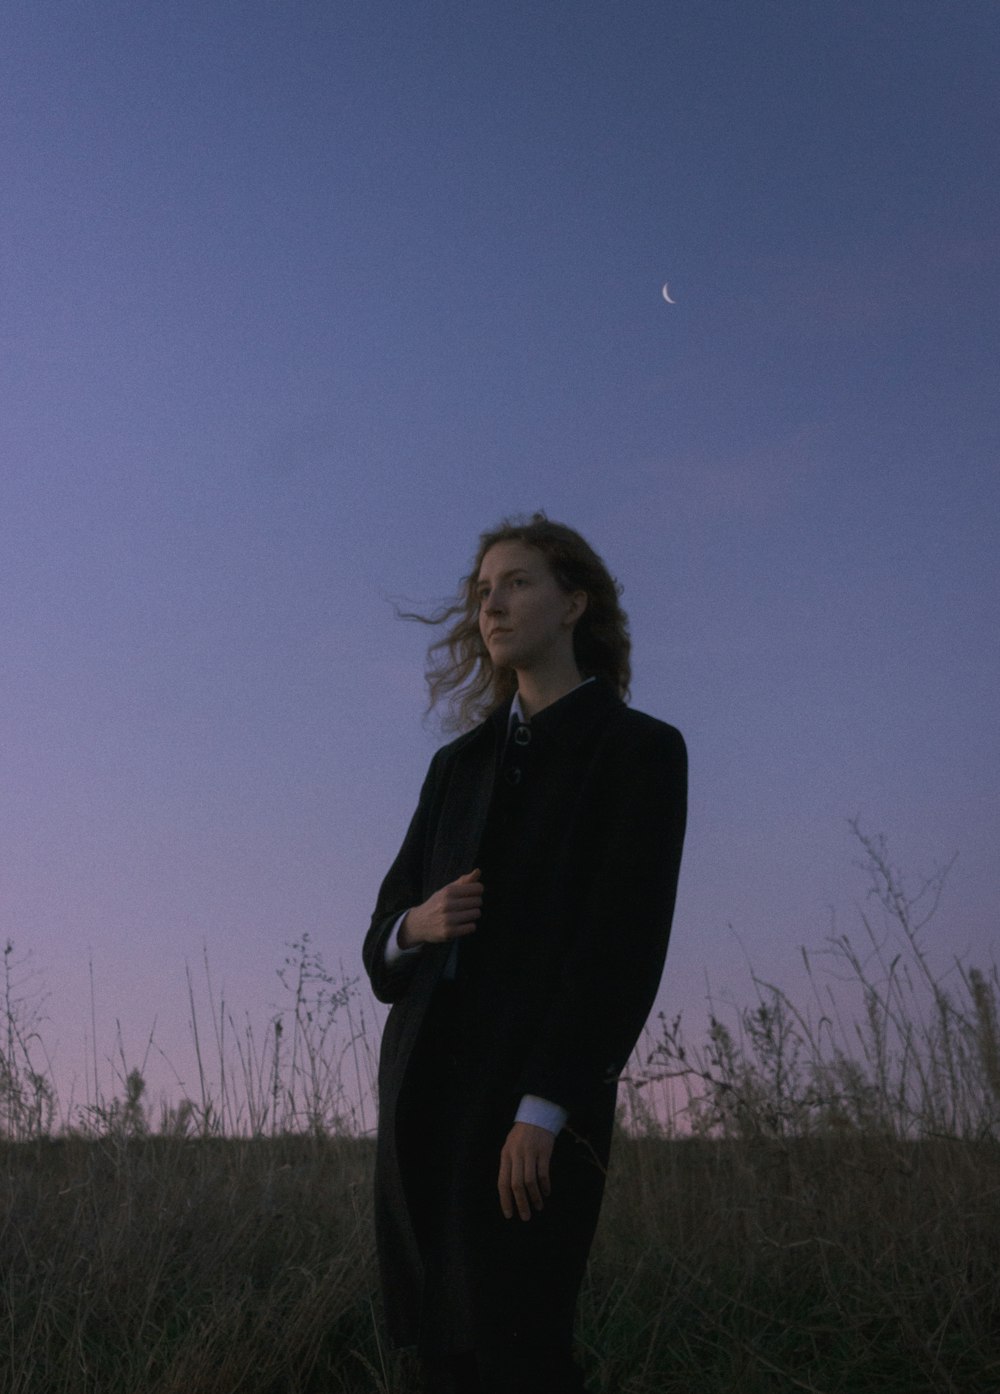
(171, 1266)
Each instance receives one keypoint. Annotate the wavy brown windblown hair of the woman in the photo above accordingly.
(460, 670)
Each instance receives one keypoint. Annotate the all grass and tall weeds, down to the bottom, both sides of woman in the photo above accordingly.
(808, 1200)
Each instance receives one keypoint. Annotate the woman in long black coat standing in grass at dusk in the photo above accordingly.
(520, 937)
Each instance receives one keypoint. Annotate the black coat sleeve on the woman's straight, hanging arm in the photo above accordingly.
(610, 976)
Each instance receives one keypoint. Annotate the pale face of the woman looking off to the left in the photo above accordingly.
(526, 618)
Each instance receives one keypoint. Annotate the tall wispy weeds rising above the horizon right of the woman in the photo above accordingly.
(891, 1045)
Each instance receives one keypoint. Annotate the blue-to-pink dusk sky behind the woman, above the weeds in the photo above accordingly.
(298, 299)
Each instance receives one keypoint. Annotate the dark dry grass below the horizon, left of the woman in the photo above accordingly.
(175, 1266)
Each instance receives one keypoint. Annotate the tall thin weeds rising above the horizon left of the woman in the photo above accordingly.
(309, 1069)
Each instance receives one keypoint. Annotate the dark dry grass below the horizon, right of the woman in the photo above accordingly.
(842, 1265)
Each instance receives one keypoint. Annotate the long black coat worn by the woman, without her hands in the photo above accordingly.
(579, 840)
